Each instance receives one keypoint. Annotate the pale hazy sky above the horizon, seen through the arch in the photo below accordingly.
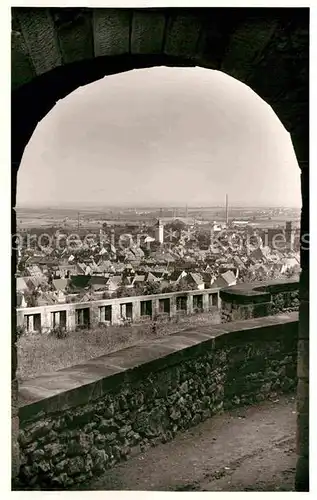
(160, 136)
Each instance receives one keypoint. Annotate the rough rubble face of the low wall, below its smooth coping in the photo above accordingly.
(63, 449)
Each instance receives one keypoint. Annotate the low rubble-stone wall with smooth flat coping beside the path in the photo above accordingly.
(85, 419)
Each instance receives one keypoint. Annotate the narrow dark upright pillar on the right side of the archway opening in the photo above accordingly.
(302, 441)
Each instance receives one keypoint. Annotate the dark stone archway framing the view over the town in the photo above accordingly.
(54, 51)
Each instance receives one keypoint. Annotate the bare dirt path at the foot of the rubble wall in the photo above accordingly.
(250, 449)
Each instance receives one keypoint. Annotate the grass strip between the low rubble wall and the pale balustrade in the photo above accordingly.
(41, 353)
